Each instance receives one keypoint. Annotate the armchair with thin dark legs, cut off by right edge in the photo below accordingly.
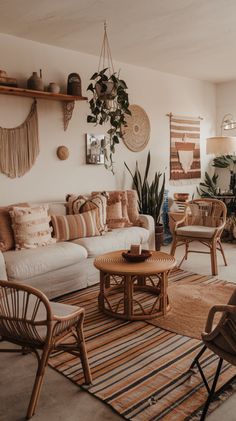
(220, 339)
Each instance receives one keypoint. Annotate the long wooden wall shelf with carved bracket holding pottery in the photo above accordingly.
(68, 100)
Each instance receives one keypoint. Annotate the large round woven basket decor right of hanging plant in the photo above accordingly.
(137, 133)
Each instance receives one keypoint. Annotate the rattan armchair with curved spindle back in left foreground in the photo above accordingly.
(30, 320)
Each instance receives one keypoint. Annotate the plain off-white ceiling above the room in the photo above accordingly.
(193, 38)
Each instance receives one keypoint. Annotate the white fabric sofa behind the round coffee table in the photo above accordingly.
(68, 266)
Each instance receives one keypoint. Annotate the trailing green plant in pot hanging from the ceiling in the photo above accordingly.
(109, 104)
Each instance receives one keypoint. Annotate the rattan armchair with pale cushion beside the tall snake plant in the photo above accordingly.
(203, 221)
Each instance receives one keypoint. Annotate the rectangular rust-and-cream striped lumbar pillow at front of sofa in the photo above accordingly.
(70, 227)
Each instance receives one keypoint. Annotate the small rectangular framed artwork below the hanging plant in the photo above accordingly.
(95, 148)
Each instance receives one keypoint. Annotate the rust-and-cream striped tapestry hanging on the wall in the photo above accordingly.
(185, 163)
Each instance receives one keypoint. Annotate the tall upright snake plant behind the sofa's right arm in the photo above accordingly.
(150, 195)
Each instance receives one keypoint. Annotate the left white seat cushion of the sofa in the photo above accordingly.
(23, 264)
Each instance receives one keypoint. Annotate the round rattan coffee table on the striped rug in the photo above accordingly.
(134, 291)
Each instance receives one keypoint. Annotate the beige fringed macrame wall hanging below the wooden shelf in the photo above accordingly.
(19, 146)
